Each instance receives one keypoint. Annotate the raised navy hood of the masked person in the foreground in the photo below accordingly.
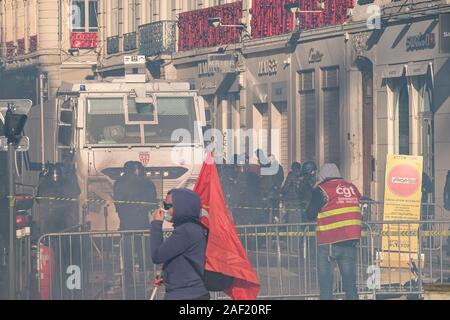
(186, 206)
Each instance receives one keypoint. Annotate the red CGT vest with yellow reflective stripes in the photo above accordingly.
(340, 219)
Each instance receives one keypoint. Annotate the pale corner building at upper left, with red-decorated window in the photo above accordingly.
(54, 38)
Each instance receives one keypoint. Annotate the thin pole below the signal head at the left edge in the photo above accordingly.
(12, 235)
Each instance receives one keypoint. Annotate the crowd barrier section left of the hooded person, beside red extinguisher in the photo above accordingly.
(95, 266)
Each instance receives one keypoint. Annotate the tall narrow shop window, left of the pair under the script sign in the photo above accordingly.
(307, 116)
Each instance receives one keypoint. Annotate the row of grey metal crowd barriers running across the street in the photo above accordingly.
(117, 265)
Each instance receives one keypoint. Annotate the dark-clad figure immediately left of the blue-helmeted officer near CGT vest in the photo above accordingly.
(290, 194)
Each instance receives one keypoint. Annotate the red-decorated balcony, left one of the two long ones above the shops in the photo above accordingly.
(195, 32)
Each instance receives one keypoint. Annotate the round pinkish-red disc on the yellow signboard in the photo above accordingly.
(404, 180)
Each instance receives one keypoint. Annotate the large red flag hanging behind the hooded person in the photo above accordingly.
(224, 252)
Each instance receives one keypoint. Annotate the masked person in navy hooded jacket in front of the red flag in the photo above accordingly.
(183, 254)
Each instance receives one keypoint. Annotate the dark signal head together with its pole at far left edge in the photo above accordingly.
(15, 115)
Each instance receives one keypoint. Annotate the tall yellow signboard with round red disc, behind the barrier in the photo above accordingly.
(402, 202)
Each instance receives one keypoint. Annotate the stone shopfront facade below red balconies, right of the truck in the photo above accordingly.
(348, 94)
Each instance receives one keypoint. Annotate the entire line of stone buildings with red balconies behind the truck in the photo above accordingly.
(362, 79)
